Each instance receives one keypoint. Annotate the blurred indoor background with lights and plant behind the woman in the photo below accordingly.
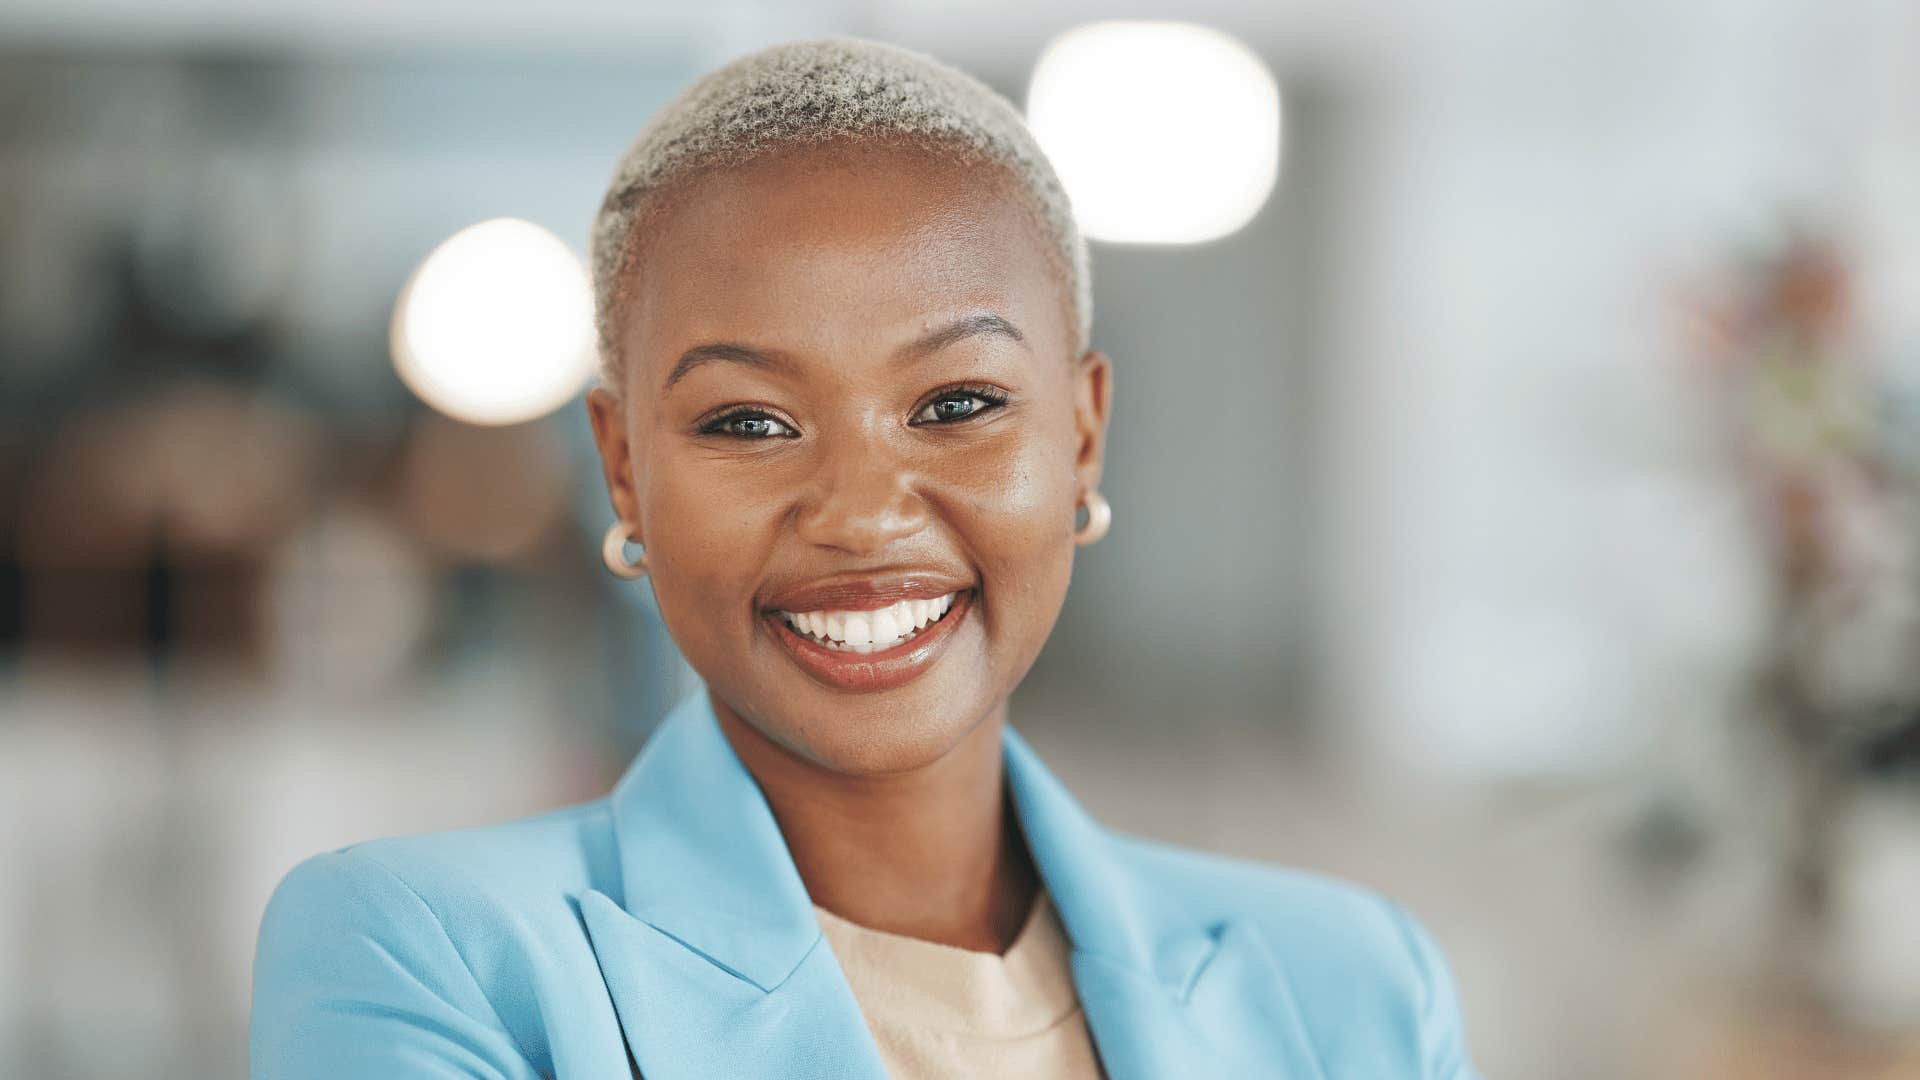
(1516, 470)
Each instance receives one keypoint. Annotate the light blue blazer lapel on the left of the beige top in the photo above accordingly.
(715, 958)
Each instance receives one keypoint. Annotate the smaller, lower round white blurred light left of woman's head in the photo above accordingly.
(496, 326)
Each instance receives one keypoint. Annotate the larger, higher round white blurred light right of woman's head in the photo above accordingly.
(1163, 134)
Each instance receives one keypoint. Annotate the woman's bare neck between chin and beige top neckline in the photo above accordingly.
(932, 854)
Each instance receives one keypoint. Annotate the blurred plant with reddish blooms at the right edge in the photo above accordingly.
(1827, 445)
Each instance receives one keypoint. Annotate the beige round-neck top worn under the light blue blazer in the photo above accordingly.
(940, 1012)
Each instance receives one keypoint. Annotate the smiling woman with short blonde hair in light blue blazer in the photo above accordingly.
(850, 418)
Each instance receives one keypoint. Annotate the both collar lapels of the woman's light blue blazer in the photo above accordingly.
(715, 937)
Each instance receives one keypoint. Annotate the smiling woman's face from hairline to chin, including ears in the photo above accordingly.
(852, 414)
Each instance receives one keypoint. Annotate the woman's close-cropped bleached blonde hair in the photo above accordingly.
(821, 91)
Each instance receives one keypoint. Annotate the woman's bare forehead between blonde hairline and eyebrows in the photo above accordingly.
(838, 249)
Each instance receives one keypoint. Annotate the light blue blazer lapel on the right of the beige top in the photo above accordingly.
(1168, 991)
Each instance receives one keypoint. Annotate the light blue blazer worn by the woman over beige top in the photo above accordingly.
(665, 929)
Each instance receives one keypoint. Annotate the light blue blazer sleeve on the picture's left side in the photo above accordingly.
(356, 977)
